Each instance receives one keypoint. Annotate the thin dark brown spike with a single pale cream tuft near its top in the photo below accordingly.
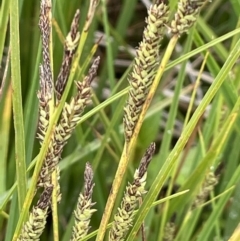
(70, 47)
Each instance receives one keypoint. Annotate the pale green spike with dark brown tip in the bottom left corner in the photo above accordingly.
(35, 225)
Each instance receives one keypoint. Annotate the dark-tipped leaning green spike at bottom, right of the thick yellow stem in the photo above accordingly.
(124, 218)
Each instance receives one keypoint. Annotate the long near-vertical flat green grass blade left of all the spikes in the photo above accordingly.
(17, 103)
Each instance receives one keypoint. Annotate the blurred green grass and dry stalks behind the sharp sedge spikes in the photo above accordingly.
(208, 54)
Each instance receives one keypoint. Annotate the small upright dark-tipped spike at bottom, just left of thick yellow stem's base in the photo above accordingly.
(84, 209)
